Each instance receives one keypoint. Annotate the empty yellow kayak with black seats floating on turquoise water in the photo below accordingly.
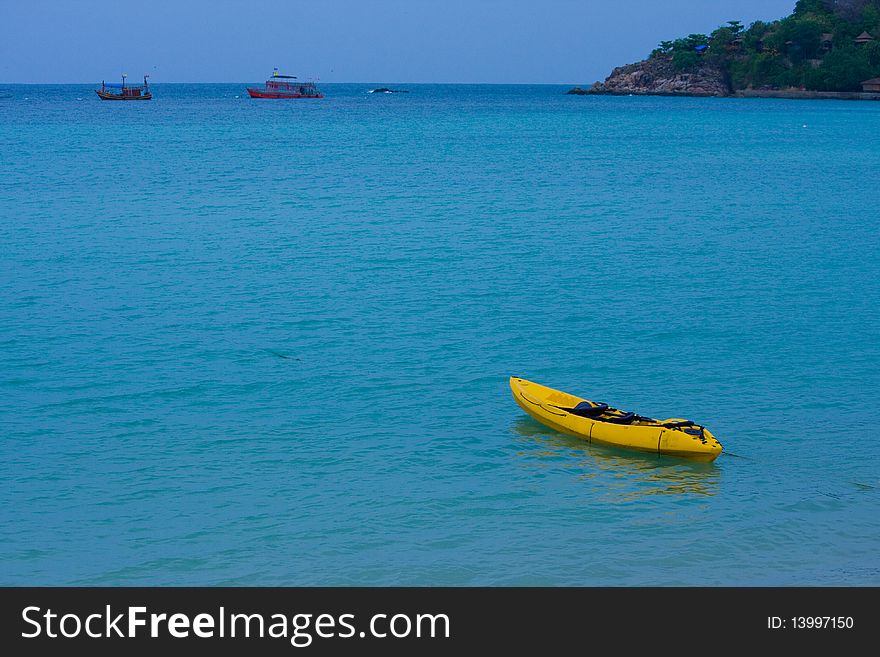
(599, 423)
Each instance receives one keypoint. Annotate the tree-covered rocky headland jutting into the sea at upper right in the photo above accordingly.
(825, 49)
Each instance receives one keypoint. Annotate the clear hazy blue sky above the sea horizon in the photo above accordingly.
(558, 41)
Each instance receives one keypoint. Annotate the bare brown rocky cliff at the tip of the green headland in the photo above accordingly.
(657, 75)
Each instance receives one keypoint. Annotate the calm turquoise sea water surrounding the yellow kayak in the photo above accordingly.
(265, 342)
